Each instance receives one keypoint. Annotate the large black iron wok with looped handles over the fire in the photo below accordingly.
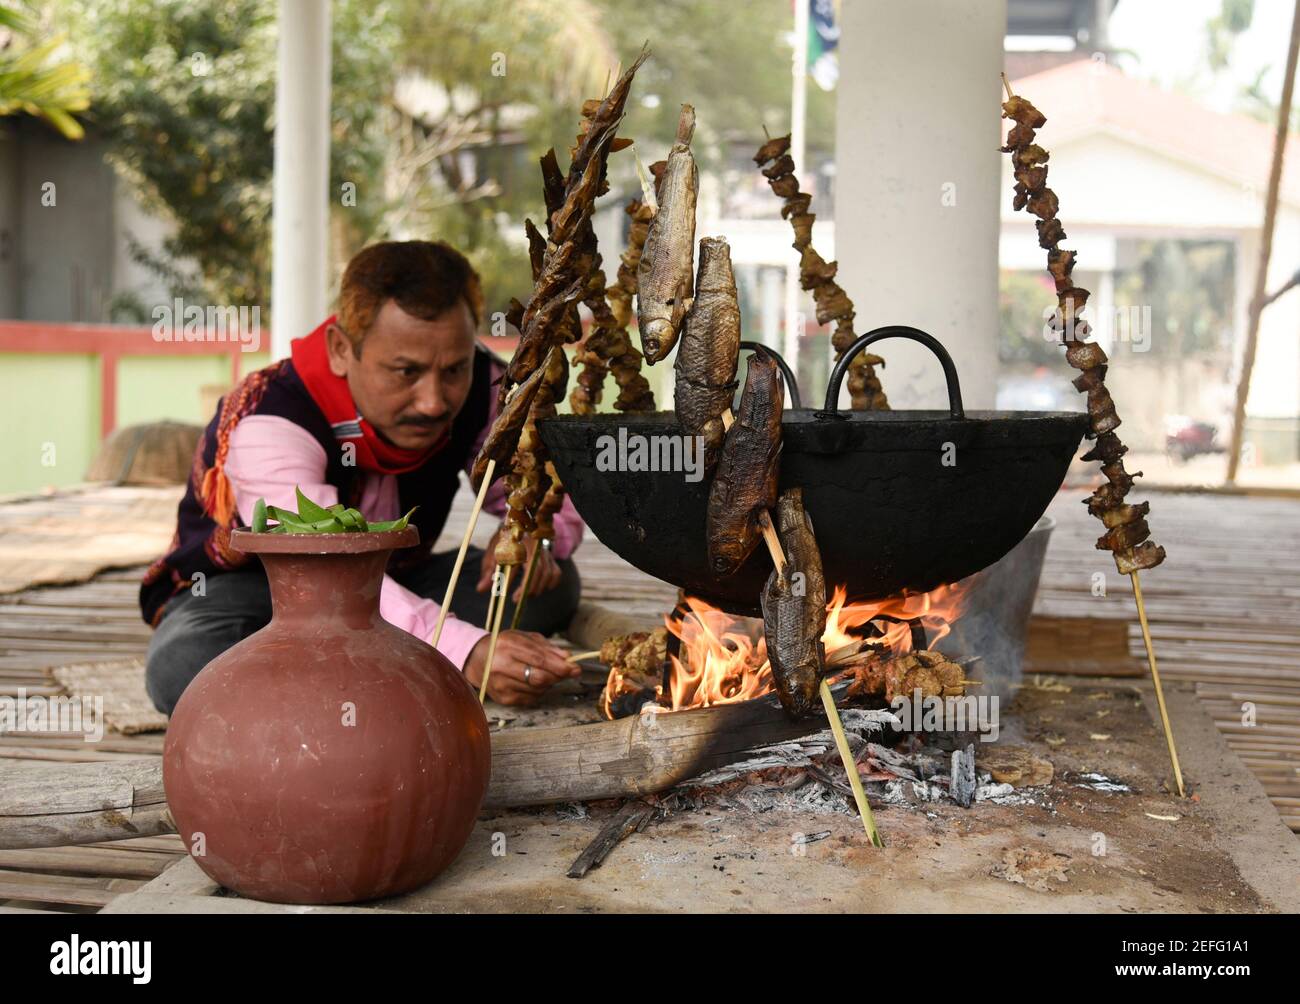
(899, 500)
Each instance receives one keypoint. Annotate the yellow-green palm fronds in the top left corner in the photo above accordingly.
(34, 79)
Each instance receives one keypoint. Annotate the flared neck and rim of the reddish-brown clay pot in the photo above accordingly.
(326, 575)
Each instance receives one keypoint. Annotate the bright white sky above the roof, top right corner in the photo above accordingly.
(1169, 41)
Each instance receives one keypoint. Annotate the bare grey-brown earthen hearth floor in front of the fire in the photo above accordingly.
(1073, 846)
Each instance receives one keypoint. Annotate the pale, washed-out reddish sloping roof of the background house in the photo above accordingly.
(1086, 97)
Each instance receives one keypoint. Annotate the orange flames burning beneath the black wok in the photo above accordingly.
(723, 659)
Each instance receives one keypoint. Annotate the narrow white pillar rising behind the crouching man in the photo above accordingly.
(301, 209)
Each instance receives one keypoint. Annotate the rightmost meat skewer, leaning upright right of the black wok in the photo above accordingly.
(1128, 533)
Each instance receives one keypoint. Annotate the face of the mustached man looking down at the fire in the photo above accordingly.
(413, 376)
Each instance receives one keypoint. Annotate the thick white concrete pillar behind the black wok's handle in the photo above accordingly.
(917, 185)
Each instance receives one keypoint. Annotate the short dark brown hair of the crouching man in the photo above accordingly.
(426, 279)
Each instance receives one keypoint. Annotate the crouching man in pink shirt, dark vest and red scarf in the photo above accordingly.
(382, 408)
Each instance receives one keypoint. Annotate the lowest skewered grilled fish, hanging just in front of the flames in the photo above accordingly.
(795, 611)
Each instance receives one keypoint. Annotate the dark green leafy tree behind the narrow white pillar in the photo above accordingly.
(185, 96)
